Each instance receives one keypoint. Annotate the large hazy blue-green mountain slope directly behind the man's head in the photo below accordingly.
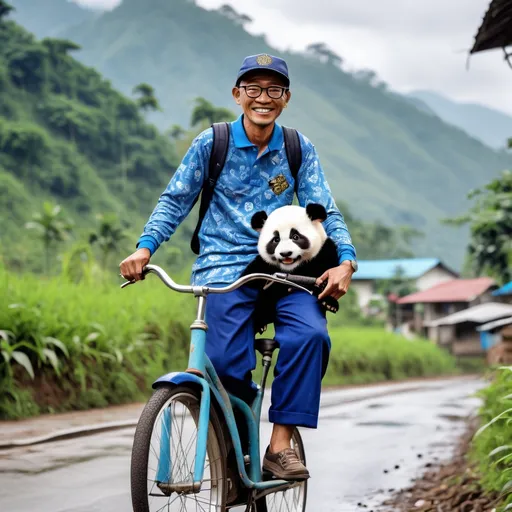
(383, 156)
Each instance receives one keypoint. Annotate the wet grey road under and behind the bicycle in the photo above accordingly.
(370, 440)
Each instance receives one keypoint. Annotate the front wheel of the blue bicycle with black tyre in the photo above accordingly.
(164, 453)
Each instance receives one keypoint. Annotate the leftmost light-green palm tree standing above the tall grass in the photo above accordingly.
(51, 226)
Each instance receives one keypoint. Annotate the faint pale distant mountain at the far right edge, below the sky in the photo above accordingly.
(490, 126)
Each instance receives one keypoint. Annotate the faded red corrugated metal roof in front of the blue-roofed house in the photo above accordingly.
(455, 290)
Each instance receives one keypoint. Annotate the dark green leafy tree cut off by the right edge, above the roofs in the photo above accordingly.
(490, 223)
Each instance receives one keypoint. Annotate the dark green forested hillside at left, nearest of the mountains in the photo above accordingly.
(68, 137)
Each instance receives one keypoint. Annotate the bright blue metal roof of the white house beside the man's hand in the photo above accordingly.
(385, 269)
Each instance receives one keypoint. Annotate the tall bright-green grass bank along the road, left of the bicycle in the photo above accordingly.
(75, 346)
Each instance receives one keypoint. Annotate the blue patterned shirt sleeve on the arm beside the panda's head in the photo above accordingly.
(313, 188)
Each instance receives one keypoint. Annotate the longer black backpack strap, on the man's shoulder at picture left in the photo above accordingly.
(217, 160)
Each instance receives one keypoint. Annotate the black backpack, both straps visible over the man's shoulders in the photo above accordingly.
(218, 159)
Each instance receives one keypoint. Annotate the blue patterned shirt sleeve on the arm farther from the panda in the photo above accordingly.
(180, 194)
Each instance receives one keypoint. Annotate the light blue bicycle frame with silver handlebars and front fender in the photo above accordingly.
(201, 372)
